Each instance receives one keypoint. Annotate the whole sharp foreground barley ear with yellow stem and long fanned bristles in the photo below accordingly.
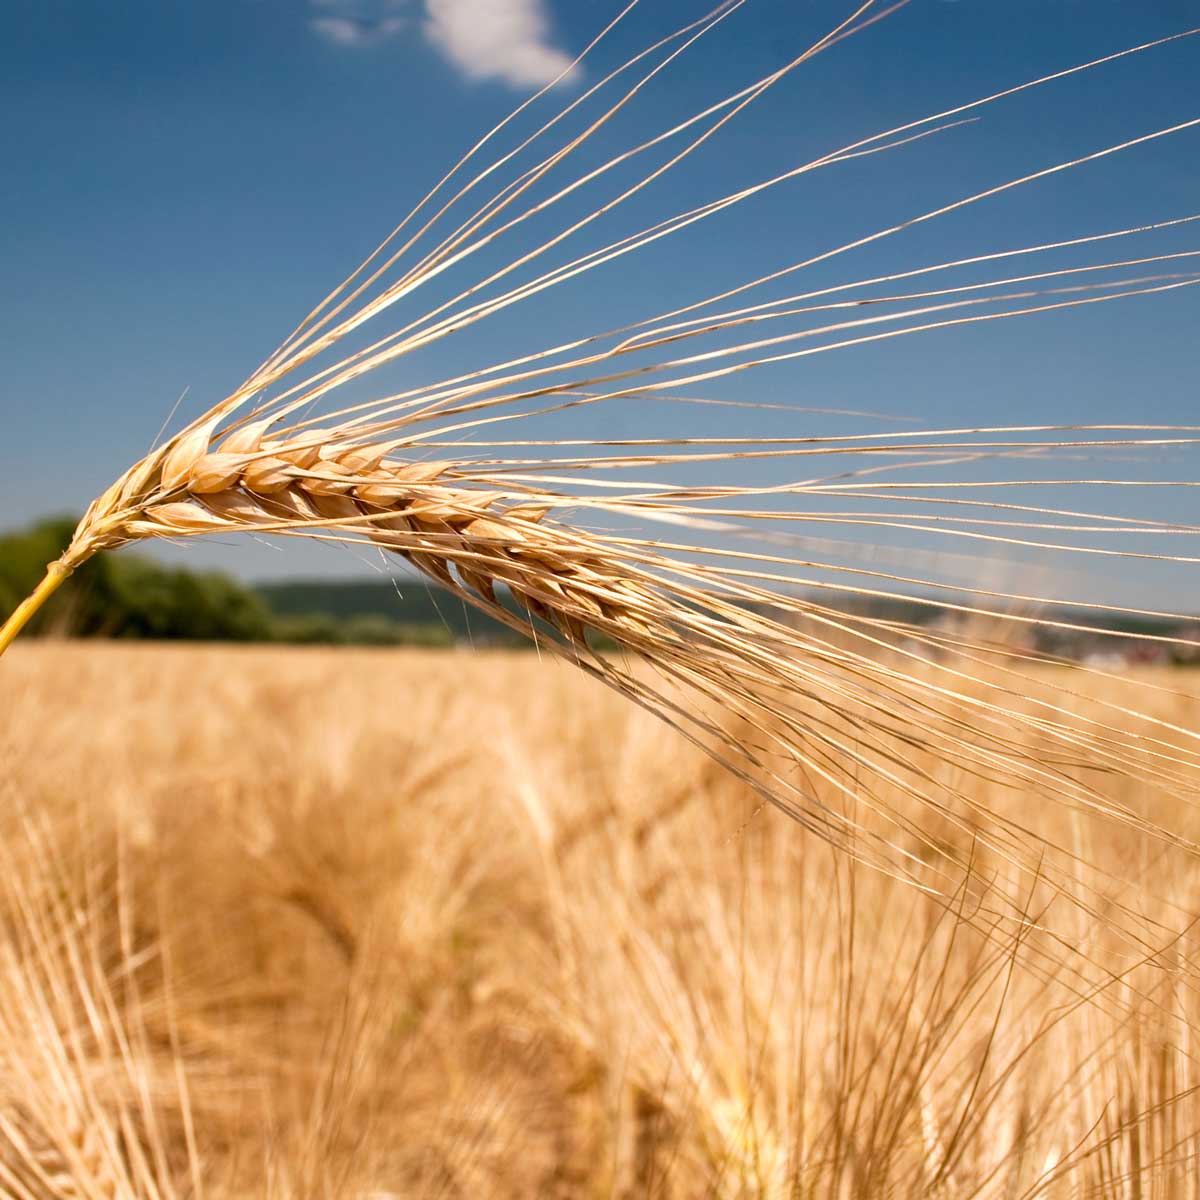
(830, 707)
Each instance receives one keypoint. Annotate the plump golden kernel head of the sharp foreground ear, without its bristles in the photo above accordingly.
(251, 483)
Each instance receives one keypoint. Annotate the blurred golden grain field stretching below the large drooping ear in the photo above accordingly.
(339, 923)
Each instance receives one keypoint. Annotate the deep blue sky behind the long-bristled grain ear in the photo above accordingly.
(184, 179)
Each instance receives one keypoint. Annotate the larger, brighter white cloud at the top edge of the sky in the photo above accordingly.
(496, 40)
